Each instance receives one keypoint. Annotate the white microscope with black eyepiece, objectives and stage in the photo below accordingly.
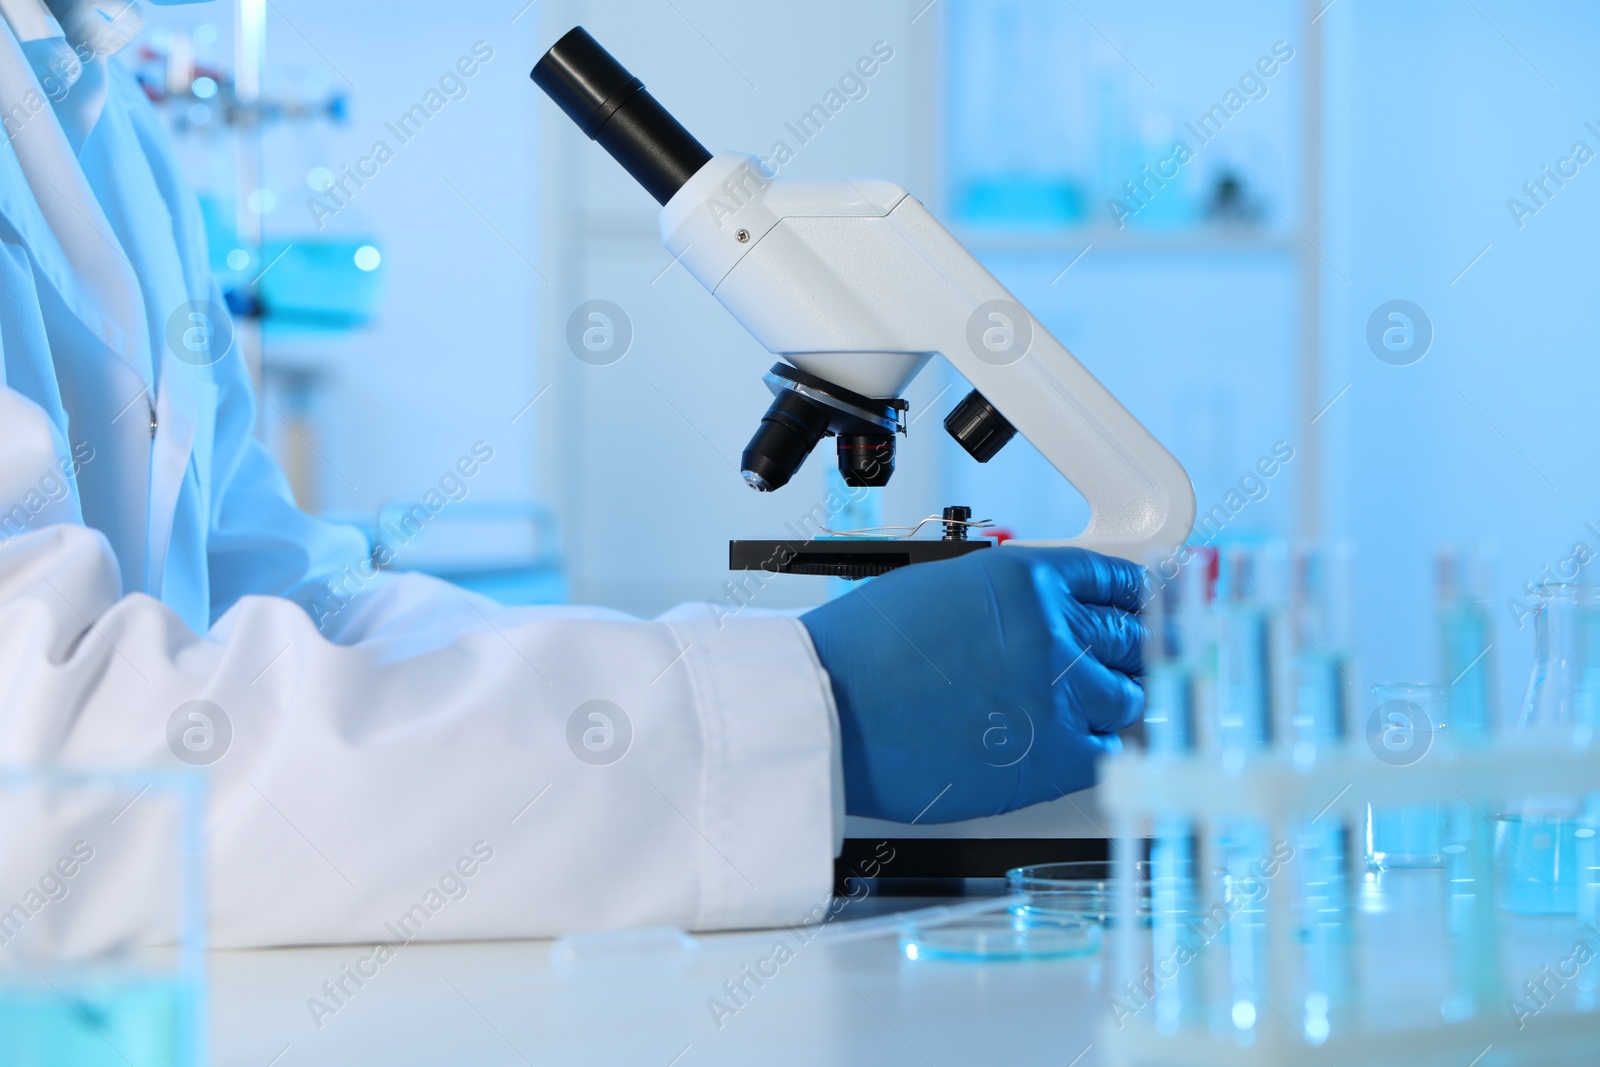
(854, 286)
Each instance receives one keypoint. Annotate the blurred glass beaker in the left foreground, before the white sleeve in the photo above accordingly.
(102, 922)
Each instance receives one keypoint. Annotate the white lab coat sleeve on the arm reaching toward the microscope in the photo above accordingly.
(534, 773)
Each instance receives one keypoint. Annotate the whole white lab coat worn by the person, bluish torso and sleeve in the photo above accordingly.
(420, 724)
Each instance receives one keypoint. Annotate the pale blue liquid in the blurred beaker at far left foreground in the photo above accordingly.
(113, 1023)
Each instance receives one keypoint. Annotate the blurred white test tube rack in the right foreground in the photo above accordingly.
(1286, 794)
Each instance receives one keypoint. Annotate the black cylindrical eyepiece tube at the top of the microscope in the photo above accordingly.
(612, 108)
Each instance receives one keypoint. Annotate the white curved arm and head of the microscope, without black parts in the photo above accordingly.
(858, 284)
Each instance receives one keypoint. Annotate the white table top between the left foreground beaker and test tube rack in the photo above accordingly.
(502, 1004)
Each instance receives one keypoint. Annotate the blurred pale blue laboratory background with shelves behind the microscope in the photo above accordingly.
(1370, 263)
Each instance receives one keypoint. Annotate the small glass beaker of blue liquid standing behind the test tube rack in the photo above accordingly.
(1401, 730)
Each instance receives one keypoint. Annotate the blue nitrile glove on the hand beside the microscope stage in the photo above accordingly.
(982, 684)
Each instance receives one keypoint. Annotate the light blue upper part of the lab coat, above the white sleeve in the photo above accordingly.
(196, 511)
